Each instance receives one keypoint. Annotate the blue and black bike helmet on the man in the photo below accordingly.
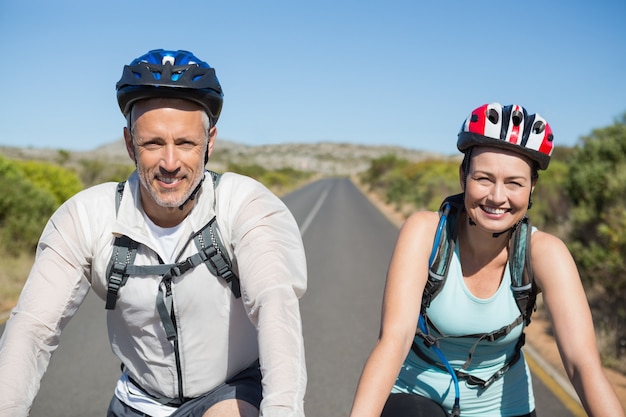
(170, 74)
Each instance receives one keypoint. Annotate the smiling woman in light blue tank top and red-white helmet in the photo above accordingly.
(465, 359)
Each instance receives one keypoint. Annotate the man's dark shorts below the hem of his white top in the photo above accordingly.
(245, 386)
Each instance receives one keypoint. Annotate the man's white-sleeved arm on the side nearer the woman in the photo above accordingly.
(272, 269)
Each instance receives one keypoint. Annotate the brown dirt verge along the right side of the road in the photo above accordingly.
(538, 334)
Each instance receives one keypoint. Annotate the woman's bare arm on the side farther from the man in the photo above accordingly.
(557, 276)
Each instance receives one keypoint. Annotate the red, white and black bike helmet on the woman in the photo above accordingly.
(508, 127)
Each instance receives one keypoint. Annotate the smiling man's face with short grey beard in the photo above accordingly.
(169, 143)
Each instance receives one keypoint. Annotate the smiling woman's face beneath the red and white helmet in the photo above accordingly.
(497, 188)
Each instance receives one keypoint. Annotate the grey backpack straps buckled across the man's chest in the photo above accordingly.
(211, 252)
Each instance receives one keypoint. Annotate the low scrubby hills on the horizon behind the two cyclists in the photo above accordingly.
(325, 158)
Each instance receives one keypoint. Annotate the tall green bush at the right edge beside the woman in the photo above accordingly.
(596, 186)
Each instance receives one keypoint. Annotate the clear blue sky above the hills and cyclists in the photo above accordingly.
(371, 72)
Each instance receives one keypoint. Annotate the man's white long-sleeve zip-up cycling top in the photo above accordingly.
(218, 335)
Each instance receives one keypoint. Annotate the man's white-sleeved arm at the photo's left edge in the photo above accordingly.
(53, 292)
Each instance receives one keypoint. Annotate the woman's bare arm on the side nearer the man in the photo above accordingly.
(406, 278)
